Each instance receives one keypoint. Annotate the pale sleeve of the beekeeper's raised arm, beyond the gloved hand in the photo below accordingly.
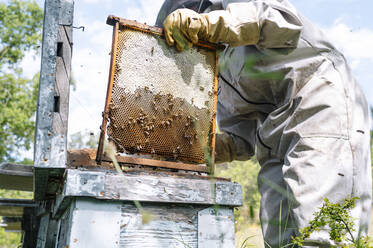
(268, 24)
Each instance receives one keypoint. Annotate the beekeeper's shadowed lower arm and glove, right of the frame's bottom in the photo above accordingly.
(237, 138)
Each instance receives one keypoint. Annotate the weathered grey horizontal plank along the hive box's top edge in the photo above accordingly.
(157, 187)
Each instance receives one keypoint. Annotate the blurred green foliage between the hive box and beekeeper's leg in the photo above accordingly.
(244, 173)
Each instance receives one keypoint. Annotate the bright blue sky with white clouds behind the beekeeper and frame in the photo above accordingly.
(348, 23)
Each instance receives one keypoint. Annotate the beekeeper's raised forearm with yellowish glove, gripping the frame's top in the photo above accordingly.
(267, 24)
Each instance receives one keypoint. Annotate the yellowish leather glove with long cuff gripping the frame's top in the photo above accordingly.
(186, 27)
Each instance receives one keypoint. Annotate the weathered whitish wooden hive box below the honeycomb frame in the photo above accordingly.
(98, 207)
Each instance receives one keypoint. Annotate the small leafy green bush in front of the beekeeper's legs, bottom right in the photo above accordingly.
(336, 218)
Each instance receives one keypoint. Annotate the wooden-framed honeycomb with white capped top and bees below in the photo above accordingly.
(160, 102)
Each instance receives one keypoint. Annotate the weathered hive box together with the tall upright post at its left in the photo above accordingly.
(80, 204)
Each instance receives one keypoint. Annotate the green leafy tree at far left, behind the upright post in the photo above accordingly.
(20, 32)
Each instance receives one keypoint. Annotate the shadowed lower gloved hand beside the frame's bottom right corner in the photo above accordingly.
(224, 148)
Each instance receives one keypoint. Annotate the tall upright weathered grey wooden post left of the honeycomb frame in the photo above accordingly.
(53, 99)
